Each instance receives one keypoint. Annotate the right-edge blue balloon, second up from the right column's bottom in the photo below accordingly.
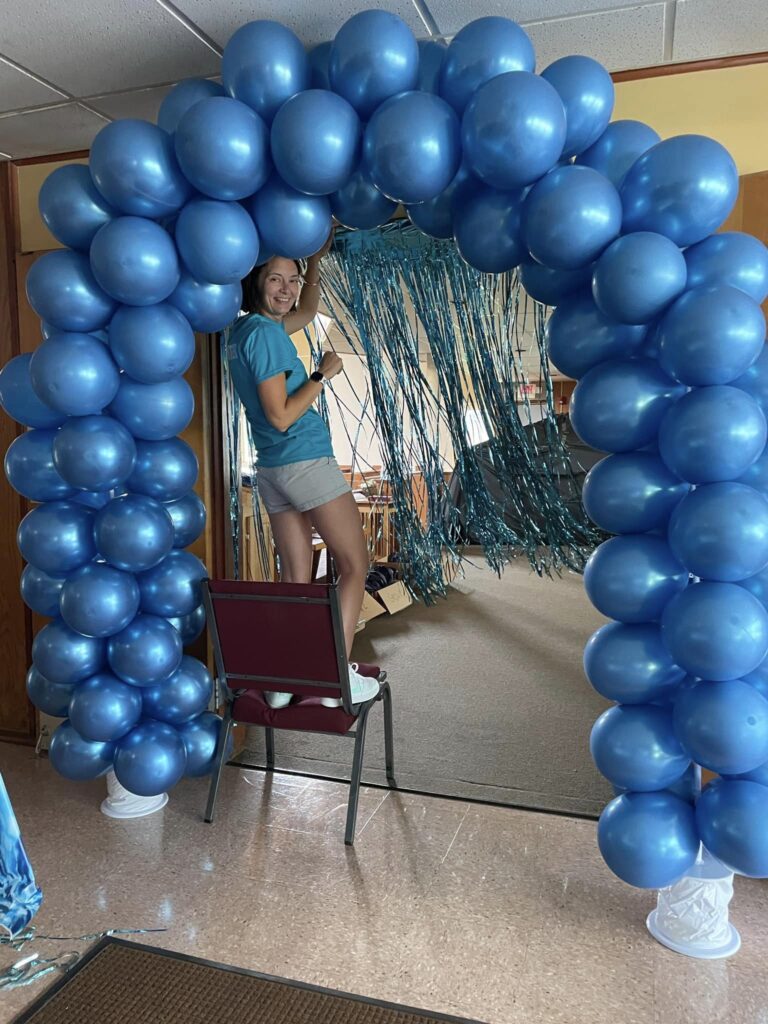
(723, 727)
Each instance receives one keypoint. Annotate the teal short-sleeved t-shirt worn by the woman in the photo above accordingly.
(260, 349)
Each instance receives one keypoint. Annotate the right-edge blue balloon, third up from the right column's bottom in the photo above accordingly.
(716, 631)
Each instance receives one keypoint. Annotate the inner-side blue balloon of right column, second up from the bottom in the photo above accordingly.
(635, 748)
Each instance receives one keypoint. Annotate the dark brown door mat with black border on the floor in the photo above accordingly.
(120, 983)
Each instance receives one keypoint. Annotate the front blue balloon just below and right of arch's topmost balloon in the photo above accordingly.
(412, 147)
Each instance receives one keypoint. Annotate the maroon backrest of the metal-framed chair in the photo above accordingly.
(278, 636)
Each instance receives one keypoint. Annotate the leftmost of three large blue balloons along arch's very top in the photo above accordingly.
(264, 66)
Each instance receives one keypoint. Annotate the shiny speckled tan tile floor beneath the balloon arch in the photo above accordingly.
(489, 913)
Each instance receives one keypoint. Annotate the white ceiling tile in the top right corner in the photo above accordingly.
(713, 29)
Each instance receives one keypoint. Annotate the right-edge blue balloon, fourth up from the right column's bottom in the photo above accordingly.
(720, 532)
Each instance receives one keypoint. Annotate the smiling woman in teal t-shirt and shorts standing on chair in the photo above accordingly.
(300, 481)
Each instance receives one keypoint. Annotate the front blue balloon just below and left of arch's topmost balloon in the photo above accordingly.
(316, 141)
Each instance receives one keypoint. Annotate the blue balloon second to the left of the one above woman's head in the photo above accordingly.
(135, 261)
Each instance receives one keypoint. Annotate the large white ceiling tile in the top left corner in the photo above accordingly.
(98, 47)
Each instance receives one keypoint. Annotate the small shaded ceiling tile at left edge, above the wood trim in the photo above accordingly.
(56, 130)
